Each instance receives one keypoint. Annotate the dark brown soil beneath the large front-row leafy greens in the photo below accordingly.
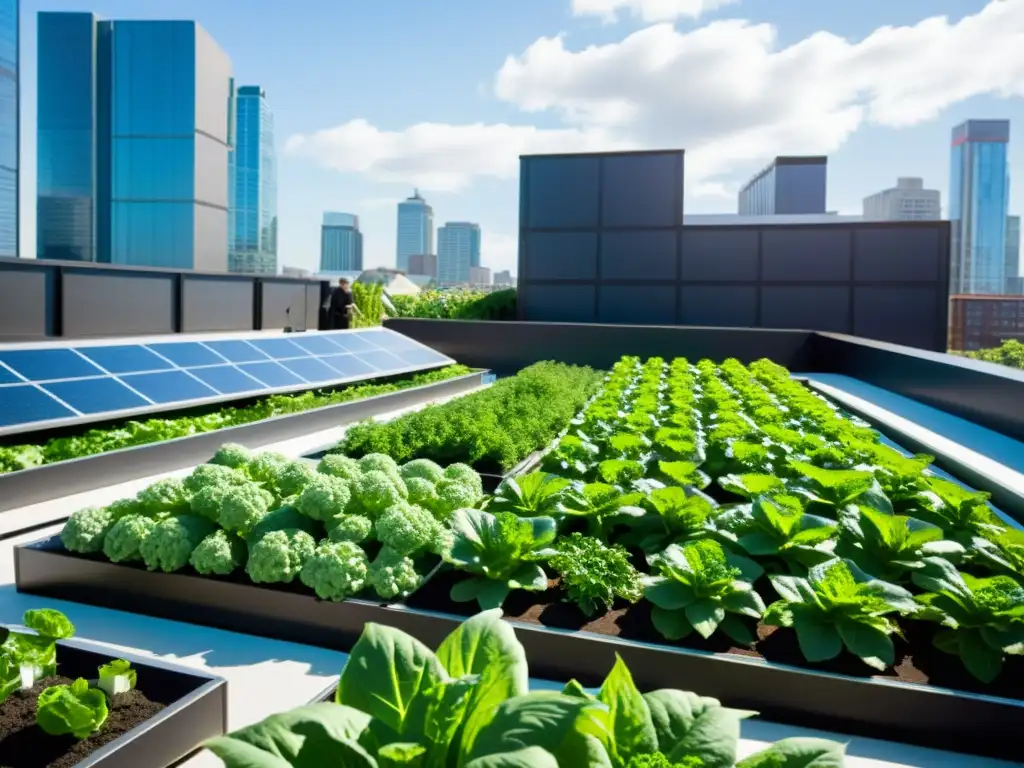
(917, 660)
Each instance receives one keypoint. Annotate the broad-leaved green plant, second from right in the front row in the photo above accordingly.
(840, 606)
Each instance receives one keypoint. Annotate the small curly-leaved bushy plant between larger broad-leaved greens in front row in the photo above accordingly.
(593, 575)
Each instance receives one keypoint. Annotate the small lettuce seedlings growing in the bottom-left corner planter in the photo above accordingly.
(78, 709)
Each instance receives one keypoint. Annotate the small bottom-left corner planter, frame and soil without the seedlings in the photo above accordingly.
(175, 710)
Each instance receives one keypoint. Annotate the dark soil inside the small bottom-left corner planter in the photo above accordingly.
(24, 745)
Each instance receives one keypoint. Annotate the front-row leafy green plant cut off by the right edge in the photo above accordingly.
(984, 618)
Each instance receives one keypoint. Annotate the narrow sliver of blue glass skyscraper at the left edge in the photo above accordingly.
(9, 127)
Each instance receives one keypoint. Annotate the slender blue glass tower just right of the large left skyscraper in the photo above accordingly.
(253, 161)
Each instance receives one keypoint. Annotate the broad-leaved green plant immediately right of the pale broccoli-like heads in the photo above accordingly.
(502, 553)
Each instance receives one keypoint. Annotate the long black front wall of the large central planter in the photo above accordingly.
(899, 712)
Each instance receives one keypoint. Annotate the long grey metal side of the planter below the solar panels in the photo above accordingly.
(51, 482)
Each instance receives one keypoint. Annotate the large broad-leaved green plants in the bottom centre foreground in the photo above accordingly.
(470, 706)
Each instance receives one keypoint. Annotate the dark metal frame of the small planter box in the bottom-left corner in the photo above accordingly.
(196, 711)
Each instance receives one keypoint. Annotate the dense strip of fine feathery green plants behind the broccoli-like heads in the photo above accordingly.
(497, 428)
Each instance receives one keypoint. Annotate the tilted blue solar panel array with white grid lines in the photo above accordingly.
(63, 382)
